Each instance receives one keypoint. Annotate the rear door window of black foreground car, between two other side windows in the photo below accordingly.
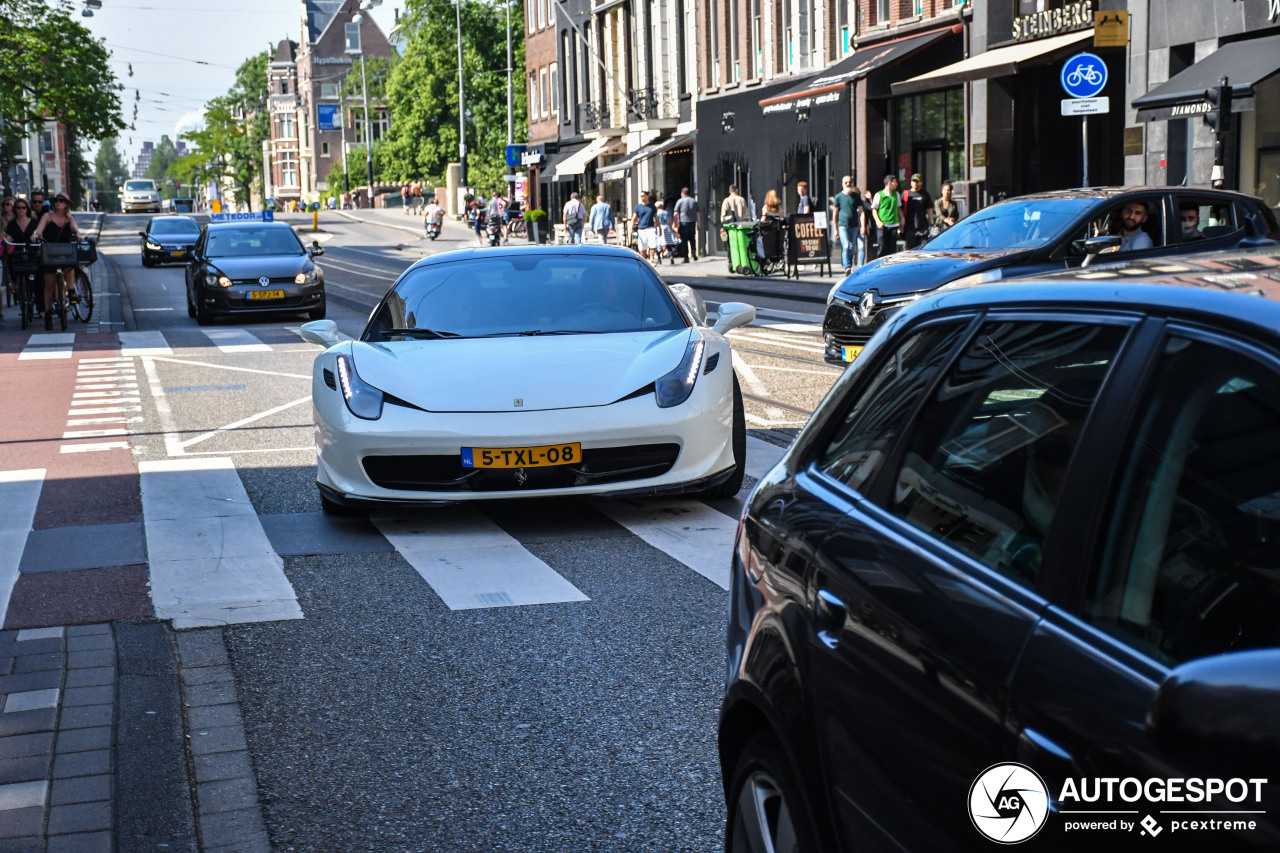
(990, 451)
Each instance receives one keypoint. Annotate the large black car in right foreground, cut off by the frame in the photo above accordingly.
(1020, 578)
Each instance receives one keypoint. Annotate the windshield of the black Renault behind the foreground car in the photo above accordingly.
(1027, 223)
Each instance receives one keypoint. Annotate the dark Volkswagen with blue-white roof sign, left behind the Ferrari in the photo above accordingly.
(254, 268)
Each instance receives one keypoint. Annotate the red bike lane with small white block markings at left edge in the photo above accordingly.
(72, 403)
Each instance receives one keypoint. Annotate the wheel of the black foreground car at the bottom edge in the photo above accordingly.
(766, 811)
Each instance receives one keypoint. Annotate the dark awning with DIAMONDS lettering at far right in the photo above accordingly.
(1244, 63)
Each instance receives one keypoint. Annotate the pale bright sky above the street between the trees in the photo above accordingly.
(186, 52)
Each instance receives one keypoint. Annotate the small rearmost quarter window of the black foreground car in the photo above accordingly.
(872, 426)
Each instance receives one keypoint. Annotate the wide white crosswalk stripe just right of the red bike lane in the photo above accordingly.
(212, 563)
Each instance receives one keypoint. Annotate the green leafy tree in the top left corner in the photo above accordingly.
(54, 69)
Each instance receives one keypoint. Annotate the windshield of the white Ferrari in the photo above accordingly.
(525, 295)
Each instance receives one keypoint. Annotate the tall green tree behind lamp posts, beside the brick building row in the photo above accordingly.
(423, 92)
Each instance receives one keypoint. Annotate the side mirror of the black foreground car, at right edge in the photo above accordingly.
(1227, 697)
